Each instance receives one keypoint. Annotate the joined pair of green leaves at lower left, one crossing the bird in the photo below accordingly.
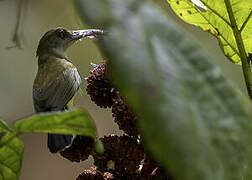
(11, 148)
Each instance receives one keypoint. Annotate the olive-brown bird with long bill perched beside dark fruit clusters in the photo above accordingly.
(57, 79)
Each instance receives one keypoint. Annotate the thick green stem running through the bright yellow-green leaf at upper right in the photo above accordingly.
(243, 55)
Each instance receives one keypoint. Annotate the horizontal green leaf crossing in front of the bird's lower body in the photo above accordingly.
(72, 122)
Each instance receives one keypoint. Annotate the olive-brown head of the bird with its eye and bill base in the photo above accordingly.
(56, 41)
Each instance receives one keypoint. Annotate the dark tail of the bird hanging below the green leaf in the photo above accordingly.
(57, 142)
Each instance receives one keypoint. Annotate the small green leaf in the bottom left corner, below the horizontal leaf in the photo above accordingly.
(11, 152)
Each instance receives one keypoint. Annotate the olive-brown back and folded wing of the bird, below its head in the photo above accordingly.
(56, 83)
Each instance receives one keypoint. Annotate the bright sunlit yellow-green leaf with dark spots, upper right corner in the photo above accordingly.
(212, 17)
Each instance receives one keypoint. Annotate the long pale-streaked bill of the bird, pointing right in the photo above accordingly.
(89, 33)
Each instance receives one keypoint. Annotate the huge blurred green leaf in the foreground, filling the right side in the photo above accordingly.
(193, 120)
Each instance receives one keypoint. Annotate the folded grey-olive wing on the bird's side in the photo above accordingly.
(56, 95)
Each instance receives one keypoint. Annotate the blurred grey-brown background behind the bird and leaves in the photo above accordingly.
(18, 68)
